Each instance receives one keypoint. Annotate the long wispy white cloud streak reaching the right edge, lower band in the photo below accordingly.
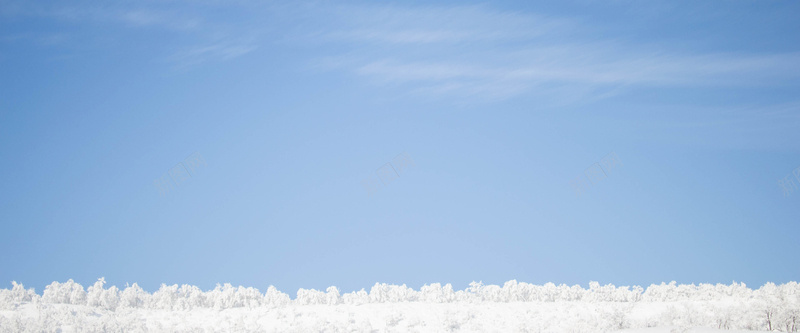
(579, 72)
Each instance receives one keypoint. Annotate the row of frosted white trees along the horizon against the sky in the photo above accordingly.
(225, 296)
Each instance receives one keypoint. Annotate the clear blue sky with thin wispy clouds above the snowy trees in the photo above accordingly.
(500, 105)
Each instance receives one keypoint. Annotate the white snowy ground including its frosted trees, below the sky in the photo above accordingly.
(514, 307)
